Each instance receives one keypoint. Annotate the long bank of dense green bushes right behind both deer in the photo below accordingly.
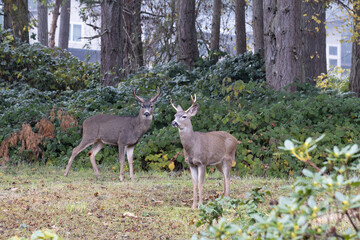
(233, 97)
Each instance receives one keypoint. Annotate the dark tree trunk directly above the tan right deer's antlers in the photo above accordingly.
(188, 49)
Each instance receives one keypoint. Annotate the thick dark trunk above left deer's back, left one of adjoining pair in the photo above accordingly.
(111, 39)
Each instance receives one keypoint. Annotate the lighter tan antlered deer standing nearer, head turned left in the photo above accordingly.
(201, 149)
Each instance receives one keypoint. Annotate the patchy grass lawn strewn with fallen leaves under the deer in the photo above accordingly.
(154, 206)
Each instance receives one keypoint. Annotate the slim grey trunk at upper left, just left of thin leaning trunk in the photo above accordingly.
(42, 8)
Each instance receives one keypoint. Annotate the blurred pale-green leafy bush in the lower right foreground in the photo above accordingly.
(321, 206)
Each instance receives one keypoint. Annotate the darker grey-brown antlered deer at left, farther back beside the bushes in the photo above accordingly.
(122, 131)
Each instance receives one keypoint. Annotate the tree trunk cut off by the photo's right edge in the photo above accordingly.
(354, 81)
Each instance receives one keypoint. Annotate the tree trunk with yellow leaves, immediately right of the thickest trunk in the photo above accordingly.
(313, 39)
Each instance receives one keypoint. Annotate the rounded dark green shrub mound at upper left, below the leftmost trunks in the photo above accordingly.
(41, 67)
